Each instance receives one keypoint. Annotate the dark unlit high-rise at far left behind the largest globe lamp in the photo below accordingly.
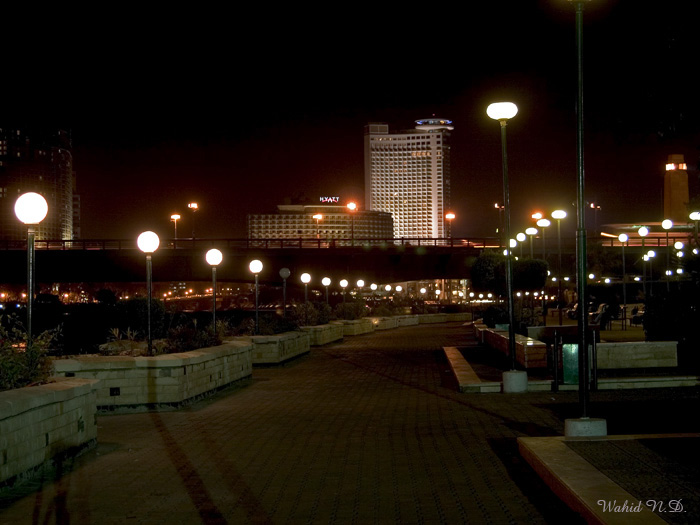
(42, 163)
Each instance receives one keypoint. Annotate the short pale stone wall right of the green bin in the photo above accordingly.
(649, 354)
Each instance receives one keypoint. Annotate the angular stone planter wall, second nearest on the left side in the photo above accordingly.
(168, 379)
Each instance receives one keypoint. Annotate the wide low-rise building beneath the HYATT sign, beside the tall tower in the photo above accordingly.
(334, 222)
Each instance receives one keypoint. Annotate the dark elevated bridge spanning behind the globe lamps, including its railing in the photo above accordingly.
(110, 260)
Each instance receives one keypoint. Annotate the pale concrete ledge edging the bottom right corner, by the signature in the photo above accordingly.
(578, 483)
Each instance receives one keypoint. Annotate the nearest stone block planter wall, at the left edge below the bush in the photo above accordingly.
(40, 423)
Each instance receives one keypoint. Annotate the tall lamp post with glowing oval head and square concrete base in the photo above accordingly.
(513, 381)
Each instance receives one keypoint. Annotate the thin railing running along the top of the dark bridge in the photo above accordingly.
(130, 244)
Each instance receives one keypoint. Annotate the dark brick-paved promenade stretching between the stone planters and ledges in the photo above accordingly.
(371, 430)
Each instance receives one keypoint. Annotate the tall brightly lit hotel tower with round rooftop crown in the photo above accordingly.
(407, 174)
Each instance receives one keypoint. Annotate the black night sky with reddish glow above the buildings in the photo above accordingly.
(239, 108)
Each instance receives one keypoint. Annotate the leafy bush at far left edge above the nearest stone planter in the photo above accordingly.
(21, 366)
